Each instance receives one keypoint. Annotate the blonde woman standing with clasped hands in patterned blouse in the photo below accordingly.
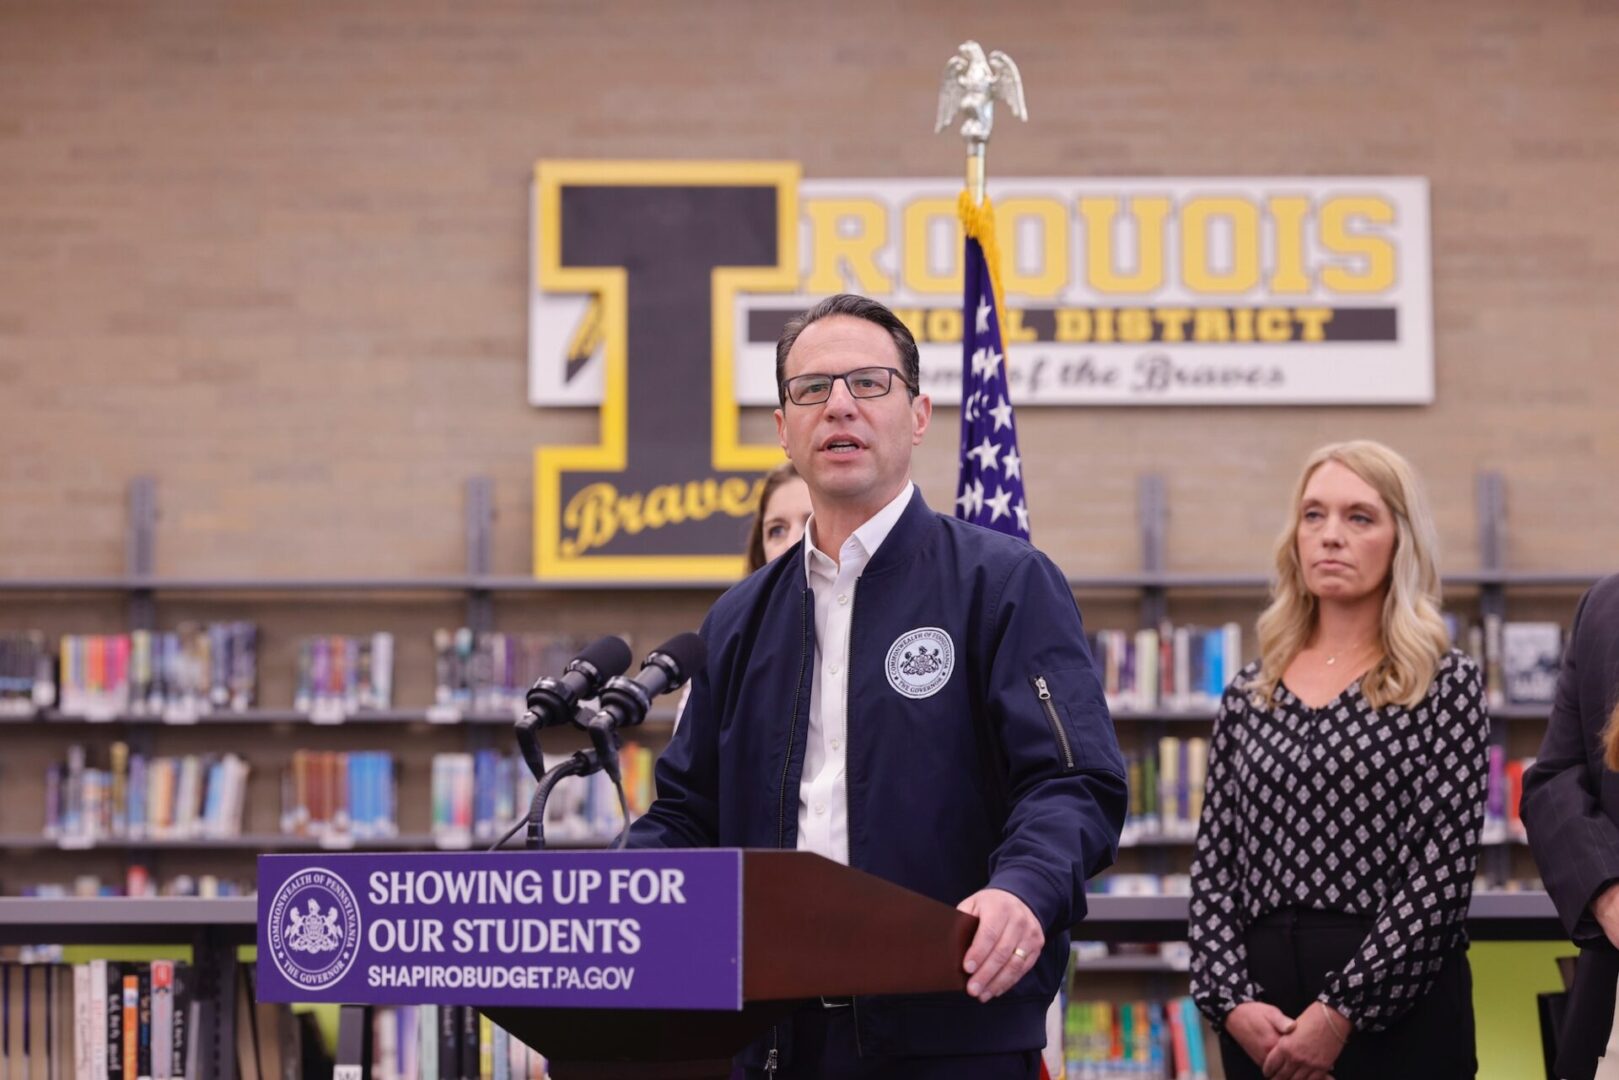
(1346, 794)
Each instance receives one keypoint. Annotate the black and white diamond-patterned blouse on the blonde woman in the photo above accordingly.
(1343, 809)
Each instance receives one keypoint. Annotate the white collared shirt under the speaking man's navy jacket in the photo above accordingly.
(823, 793)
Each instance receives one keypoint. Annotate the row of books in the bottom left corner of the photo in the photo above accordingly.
(98, 1021)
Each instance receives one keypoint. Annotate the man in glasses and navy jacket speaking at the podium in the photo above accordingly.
(909, 695)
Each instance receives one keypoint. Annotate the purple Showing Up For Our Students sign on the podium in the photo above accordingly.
(576, 930)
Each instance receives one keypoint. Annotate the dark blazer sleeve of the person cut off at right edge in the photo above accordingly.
(1576, 843)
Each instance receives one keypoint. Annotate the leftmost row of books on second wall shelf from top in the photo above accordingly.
(140, 797)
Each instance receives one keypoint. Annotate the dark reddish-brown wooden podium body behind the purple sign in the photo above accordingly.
(810, 929)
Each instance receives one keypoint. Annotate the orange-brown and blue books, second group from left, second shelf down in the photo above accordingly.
(328, 794)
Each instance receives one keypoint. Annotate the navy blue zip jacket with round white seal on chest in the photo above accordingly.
(1006, 776)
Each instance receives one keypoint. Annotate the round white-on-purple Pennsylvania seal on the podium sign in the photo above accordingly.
(313, 930)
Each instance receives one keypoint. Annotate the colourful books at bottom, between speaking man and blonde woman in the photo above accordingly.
(1134, 1040)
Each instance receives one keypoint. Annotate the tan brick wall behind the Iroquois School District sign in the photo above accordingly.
(274, 253)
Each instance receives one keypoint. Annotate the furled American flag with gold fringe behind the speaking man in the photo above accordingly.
(990, 491)
